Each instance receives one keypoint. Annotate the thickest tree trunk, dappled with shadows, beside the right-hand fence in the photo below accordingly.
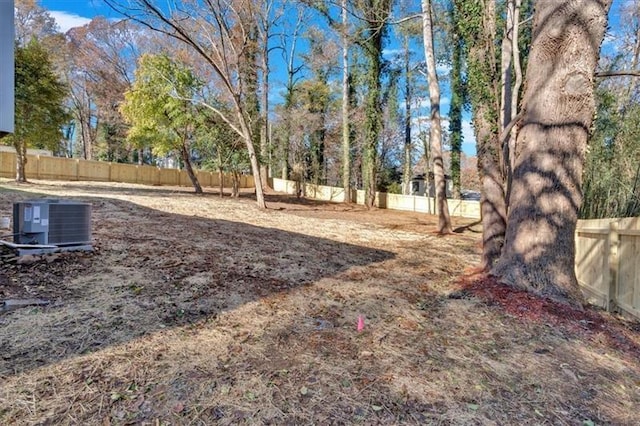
(558, 104)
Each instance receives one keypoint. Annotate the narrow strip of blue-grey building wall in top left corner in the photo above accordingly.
(7, 85)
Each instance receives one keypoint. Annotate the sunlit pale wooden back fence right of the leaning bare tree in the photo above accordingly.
(412, 203)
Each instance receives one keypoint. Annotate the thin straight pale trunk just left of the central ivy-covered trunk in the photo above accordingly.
(346, 130)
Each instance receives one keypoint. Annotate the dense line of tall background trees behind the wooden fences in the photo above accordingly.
(298, 133)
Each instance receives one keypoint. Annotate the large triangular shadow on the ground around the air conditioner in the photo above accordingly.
(151, 270)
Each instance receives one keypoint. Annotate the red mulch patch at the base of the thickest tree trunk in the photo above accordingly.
(587, 323)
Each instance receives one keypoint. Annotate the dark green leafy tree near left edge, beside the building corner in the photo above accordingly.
(39, 97)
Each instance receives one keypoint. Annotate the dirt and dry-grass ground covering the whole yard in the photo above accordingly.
(197, 310)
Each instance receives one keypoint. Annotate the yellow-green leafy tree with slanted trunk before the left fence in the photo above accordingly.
(161, 110)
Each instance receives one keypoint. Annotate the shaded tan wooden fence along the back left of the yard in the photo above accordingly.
(59, 168)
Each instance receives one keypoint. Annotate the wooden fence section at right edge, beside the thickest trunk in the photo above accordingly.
(608, 262)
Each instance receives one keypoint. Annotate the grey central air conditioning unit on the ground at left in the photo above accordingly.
(52, 222)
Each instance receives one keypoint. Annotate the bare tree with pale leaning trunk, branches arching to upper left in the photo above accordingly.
(221, 32)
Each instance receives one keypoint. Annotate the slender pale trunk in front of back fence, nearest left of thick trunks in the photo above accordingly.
(444, 221)
